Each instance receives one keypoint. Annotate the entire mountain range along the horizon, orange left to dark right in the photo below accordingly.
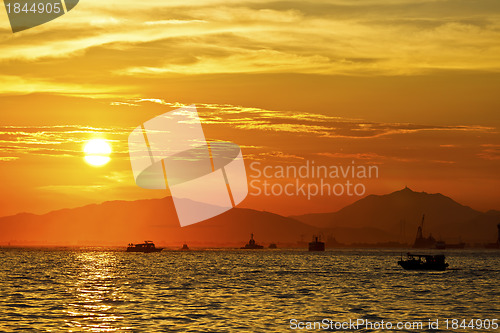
(392, 217)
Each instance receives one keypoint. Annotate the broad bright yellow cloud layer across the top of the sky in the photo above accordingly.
(157, 38)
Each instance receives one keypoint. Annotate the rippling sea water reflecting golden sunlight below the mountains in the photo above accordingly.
(105, 290)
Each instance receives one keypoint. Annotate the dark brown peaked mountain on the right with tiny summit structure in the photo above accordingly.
(400, 213)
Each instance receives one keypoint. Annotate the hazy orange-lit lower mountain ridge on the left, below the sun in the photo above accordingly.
(121, 222)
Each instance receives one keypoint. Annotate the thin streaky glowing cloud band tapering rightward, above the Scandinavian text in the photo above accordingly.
(308, 124)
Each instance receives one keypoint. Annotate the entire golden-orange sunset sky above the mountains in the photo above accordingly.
(408, 86)
